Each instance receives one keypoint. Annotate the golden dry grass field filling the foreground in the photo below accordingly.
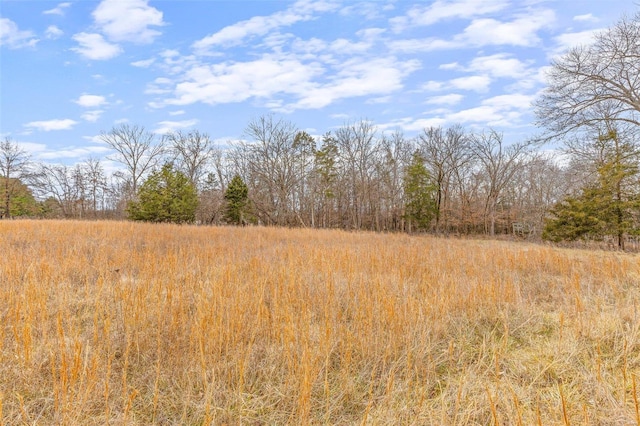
(137, 324)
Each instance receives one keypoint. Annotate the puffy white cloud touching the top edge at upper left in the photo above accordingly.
(128, 20)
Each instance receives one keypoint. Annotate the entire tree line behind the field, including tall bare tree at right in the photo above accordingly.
(445, 180)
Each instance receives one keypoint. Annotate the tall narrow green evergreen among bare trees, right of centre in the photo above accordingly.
(420, 206)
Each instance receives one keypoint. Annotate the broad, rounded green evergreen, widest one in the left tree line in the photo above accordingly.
(166, 196)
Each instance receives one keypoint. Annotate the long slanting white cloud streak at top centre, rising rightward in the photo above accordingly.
(232, 35)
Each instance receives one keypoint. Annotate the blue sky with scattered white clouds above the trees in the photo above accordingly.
(71, 70)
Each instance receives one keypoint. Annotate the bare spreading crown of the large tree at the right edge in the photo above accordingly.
(595, 82)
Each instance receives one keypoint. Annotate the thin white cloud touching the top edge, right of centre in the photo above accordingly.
(446, 9)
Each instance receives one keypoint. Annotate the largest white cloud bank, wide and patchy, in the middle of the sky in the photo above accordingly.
(284, 82)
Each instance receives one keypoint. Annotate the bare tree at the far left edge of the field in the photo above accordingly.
(14, 166)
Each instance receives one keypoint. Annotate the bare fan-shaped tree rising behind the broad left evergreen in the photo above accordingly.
(136, 149)
